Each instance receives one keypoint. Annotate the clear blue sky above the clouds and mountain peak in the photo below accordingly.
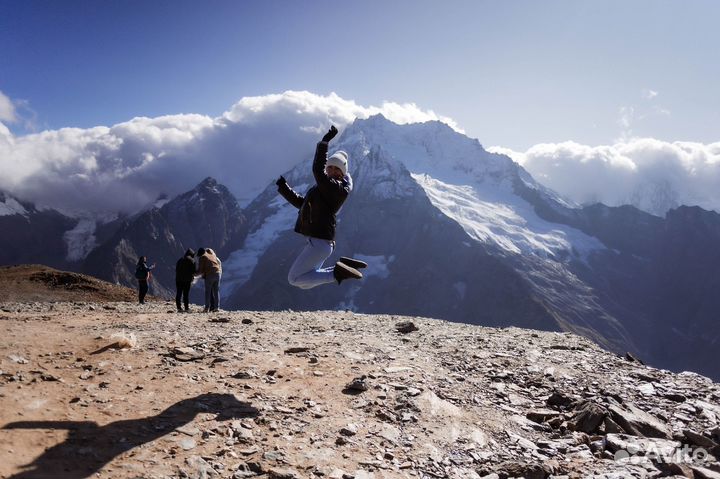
(510, 73)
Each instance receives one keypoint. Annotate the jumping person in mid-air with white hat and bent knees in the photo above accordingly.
(317, 219)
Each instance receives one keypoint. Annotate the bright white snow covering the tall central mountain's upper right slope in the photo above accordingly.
(468, 184)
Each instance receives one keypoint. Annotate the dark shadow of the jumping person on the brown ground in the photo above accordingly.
(89, 447)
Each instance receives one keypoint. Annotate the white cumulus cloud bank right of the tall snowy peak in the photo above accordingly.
(653, 175)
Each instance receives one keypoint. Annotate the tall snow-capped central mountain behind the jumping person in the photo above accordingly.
(445, 232)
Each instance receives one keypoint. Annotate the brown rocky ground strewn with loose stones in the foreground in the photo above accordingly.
(119, 390)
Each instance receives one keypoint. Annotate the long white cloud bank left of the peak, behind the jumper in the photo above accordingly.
(123, 167)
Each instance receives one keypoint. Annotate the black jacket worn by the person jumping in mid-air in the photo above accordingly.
(321, 203)
